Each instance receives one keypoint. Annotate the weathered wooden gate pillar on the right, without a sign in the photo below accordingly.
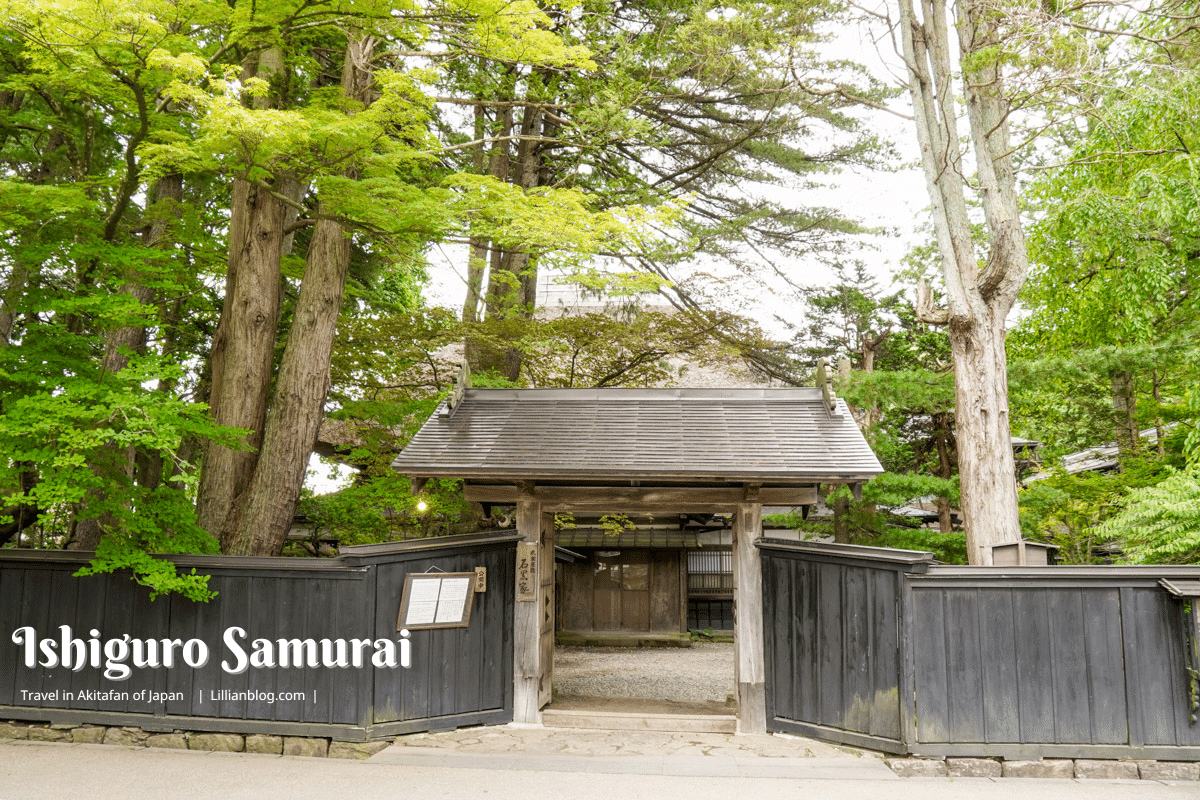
(749, 666)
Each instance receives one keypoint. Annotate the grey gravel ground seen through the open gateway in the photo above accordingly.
(703, 673)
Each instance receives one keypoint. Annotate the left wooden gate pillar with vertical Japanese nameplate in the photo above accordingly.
(533, 624)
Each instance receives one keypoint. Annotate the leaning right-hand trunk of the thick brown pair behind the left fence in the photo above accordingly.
(265, 512)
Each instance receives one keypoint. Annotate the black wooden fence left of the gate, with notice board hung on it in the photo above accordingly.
(460, 676)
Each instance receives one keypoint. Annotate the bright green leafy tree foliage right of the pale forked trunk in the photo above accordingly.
(1114, 270)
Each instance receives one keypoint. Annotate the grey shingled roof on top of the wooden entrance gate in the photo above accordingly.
(783, 437)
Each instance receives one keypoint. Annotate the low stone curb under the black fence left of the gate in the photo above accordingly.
(230, 743)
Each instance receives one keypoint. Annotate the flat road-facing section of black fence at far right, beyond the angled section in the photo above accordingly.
(1064, 664)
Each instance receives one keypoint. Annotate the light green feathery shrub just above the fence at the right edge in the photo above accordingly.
(1161, 524)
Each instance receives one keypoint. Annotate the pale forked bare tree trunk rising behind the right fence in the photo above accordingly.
(977, 299)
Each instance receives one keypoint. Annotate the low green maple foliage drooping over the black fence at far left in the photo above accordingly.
(75, 423)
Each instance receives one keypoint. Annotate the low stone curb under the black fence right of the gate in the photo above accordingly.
(1047, 768)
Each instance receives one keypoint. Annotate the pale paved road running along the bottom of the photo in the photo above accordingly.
(50, 772)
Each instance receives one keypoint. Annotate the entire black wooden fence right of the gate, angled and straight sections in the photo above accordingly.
(886, 651)
